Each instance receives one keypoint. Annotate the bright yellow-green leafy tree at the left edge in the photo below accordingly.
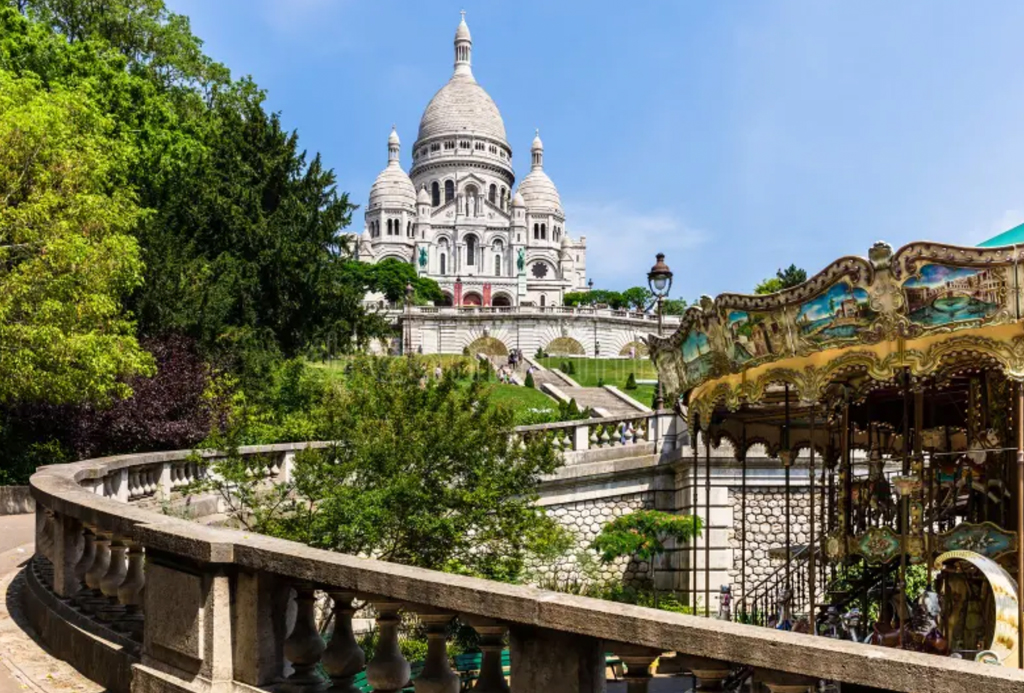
(67, 258)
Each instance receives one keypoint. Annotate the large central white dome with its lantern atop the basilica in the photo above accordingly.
(462, 107)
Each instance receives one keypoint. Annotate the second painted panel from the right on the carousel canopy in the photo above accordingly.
(841, 314)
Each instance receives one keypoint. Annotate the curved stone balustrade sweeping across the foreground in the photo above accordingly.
(180, 607)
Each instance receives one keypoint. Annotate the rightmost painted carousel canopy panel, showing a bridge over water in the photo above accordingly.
(943, 295)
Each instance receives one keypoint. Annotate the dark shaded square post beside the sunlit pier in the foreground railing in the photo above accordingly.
(262, 609)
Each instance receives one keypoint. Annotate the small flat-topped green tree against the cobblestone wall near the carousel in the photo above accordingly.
(642, 536)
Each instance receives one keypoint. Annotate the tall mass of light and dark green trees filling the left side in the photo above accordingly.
(148, 196)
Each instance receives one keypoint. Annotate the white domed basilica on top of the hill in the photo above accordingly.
(455, 215)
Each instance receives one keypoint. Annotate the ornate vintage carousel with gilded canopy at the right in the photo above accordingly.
(892, 387)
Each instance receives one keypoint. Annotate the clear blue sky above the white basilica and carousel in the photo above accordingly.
(736, 137)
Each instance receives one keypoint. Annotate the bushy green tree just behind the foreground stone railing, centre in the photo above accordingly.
(421, 472)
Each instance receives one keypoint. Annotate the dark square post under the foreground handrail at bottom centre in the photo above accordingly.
(552, 662)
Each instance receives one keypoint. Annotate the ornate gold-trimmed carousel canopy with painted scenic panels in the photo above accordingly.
(927, 311)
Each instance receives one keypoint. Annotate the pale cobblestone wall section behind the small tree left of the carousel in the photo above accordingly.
(581, 567)
